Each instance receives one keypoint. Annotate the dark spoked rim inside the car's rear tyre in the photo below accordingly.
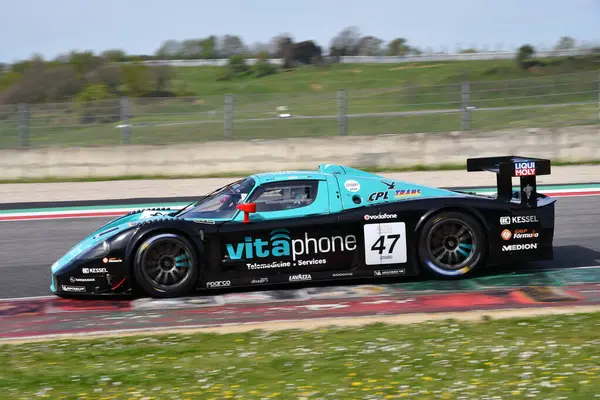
(451, 244)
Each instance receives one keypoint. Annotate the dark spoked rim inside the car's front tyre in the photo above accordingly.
(167, 263)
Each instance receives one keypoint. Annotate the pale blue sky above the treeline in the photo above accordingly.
(141, 26)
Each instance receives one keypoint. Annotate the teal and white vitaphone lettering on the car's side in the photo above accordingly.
(280, 244)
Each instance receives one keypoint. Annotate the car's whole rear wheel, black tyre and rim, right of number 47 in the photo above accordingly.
(452, 245)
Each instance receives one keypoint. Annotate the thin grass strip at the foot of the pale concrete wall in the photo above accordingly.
(431, 167)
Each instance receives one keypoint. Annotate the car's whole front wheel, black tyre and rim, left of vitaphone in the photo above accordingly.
(166, 266)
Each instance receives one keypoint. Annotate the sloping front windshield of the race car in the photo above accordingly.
(221, 203)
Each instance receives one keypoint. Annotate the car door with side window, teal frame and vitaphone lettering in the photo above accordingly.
(292, 231)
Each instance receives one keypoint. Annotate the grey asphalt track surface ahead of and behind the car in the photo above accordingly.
(28, 248)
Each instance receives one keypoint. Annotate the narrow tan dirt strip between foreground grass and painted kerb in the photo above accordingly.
(467, 316)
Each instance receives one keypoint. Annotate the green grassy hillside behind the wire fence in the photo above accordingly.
(311, 91)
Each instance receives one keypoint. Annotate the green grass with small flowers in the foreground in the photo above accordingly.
(552, 356)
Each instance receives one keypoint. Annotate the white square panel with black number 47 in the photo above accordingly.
(385, 243)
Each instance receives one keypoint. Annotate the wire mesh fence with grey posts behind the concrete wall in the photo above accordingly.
(547, 101)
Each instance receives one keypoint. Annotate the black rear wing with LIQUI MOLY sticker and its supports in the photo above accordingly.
(507, 167)
